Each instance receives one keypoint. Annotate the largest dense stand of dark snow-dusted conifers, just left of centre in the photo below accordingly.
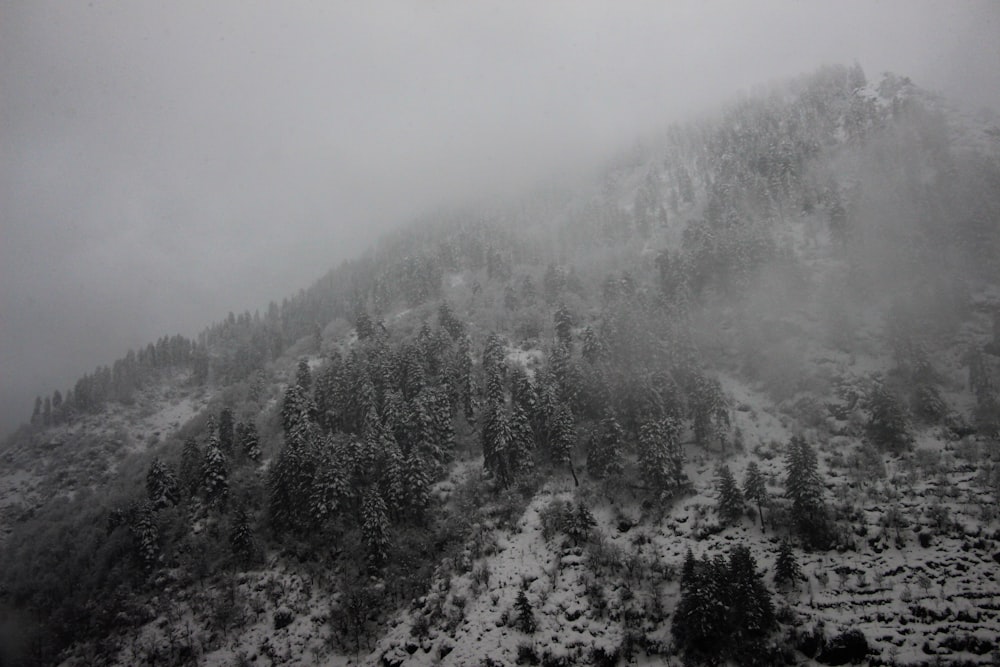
(365, 438)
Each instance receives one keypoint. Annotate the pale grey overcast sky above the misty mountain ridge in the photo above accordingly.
(163, 163)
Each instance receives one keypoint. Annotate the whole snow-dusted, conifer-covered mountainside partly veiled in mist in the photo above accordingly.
(736, 400)
